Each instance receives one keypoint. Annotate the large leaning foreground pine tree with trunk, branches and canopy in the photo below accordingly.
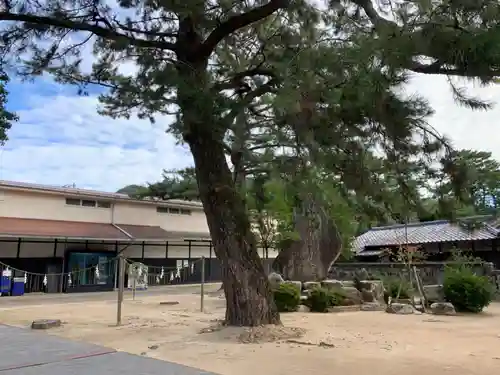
(244, 74)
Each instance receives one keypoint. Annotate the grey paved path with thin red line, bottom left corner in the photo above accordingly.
(25, 352)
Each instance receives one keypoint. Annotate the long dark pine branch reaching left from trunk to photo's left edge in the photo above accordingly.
(82, 26)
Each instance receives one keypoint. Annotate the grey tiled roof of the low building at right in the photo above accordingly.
(420, 233)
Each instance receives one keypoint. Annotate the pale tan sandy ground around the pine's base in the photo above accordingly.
(347, 343)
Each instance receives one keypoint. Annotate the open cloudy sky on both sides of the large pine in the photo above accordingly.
(60, 139)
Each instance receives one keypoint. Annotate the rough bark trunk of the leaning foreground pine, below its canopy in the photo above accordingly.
(248, 294)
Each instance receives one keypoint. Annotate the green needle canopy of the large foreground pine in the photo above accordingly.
(262, 89)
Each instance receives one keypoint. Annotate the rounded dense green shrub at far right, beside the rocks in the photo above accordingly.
(466, 291)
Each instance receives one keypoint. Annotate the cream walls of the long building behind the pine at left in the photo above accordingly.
(49, 206)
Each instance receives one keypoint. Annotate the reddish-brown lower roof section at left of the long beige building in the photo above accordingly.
(11, 226)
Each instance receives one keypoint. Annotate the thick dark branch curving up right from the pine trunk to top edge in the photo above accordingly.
(237, 22)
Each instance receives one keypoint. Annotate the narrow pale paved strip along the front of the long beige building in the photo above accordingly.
(58, 298)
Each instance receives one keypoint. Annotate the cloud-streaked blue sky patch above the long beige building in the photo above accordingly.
(62, 140)
